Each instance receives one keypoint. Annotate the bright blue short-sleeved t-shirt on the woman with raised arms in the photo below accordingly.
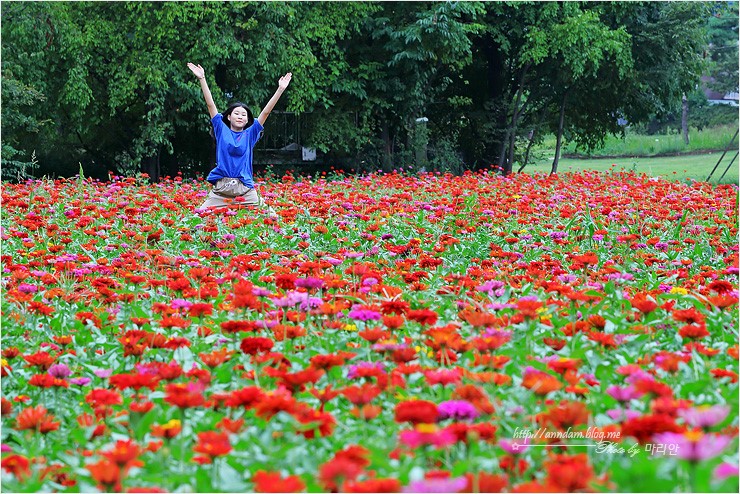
(234, 151)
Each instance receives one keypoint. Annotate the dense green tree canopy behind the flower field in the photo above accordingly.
(105, 85)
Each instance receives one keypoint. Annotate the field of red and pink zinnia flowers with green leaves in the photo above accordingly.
(383, 333)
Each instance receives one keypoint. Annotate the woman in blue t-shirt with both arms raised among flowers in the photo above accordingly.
(236, 134)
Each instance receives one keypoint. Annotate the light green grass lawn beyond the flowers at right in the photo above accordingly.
(695, 166)
